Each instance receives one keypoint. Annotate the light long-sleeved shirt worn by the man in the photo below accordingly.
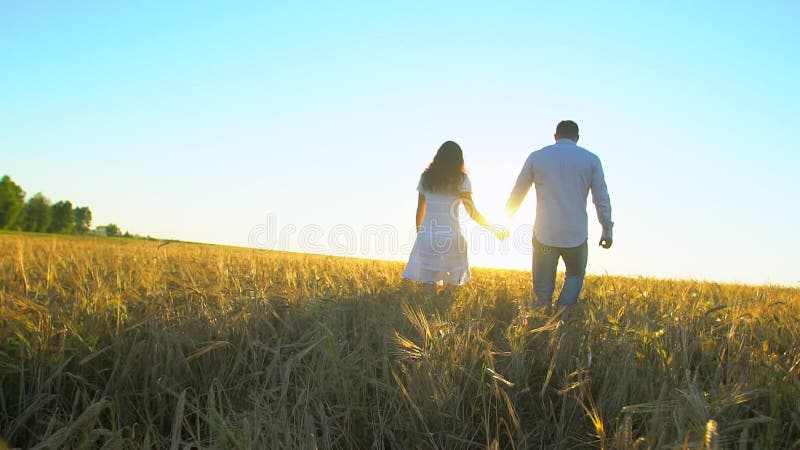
(563, 173)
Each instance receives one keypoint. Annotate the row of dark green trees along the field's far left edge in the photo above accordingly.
(40, 215)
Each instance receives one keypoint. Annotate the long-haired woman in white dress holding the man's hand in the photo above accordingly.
(439, 256)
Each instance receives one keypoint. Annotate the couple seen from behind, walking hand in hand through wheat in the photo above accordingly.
(563, 175)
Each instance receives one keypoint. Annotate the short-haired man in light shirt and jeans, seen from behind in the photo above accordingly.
(563, 174)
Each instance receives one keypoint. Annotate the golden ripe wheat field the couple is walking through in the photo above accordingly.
(129, 344)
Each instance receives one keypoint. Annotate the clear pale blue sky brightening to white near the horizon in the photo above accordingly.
(199, 120)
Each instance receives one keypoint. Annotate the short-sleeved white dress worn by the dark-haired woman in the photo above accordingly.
(440, 251)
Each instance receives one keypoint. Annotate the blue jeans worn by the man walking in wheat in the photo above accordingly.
(545, 262)
